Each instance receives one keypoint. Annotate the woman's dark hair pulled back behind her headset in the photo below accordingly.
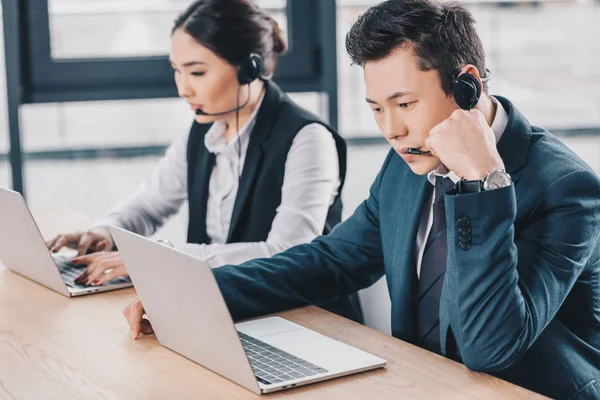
(233, 29)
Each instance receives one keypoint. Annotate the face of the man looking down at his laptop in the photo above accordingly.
(407, 103)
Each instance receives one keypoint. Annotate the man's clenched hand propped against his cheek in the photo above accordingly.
(465, 144)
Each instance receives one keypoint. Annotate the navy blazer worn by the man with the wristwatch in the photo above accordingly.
(522, 303)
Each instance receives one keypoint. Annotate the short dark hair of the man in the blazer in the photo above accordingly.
(441, 35)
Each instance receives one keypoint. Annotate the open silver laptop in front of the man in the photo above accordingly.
(189, 316)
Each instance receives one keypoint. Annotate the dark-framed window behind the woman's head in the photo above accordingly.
(103, 49)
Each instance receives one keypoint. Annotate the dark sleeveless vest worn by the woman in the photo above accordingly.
(259, 194)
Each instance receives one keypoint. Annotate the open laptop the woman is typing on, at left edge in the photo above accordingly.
(23, 250)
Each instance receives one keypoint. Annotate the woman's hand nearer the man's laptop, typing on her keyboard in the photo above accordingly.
(97, 265)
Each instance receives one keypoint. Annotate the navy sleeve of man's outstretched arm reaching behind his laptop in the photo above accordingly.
(346, 260)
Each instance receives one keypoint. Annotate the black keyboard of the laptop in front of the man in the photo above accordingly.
(271, 365)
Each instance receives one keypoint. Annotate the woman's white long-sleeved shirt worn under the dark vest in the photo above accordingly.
(310, 186)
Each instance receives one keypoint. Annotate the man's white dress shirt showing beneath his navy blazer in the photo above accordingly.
(498, 127)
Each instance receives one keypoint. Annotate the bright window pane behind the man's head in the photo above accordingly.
(544, 56)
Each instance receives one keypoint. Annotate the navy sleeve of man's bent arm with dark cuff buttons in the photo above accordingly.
(504, 290)
